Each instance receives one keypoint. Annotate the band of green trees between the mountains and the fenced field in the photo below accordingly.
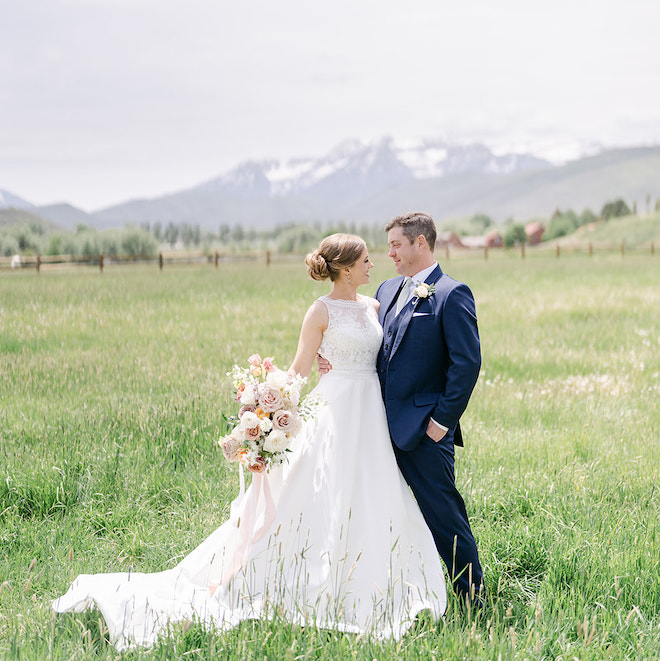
(30, 235)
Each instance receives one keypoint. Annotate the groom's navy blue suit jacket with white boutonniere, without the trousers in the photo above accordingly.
(430, 358)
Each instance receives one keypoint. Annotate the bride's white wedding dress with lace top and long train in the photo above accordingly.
(332, 539)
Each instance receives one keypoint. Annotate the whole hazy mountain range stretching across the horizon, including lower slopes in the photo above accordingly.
(372, 181)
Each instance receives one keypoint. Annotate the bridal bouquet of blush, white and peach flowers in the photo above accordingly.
(269, 416)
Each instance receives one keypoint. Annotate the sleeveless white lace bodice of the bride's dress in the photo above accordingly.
(354, 335)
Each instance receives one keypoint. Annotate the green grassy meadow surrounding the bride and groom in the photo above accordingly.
(112, 389)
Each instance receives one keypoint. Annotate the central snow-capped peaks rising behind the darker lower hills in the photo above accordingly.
(356, 167)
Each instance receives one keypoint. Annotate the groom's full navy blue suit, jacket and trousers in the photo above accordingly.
(428, 366)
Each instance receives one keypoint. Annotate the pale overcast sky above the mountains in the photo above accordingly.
(102, 101)
